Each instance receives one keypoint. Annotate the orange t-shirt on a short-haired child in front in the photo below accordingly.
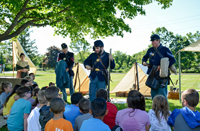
(58, 125)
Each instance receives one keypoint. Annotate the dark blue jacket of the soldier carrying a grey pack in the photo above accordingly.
(155, 59)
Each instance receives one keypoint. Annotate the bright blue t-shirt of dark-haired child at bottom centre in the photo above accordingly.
(94, 124)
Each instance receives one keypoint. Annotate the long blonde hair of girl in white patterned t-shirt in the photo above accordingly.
(160, 105)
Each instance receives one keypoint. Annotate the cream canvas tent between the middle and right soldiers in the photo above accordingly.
(126, 84)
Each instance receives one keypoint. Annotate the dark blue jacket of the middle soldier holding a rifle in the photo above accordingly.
(91, 61)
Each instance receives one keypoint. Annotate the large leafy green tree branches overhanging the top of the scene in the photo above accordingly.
(74, 18)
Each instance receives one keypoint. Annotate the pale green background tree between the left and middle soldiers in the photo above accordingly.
(82, 48)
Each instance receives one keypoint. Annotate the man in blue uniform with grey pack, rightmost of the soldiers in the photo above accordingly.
(154, 59)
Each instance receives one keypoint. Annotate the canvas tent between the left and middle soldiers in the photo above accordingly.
(81, 78)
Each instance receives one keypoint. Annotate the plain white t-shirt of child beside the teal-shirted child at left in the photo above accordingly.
(33, 120)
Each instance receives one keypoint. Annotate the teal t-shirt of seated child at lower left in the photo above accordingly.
(15, 121)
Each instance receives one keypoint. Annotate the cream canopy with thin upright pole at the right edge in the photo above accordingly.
(194, 47)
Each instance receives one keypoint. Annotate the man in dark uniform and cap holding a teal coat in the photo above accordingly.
(69, 58)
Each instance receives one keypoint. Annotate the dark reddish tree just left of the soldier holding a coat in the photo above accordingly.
(51, 57)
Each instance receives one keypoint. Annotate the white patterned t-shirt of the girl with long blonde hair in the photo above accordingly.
(155, 124)
